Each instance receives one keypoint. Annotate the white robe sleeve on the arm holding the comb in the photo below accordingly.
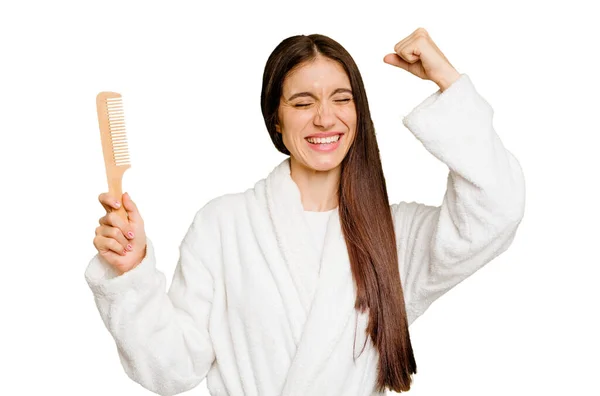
(162, 338)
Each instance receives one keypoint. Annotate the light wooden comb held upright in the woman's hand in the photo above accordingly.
(111, 119)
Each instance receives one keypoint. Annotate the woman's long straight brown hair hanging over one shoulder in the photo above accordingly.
(364, 209)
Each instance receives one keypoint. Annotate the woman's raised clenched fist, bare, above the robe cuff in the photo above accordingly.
(419, 55)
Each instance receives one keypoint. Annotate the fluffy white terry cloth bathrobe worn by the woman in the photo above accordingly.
(254, 309)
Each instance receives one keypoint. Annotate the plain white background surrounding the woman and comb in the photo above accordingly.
(190, 75)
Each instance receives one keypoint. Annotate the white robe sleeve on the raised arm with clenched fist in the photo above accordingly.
(483, 204)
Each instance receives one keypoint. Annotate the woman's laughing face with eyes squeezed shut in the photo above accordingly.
(317, 101)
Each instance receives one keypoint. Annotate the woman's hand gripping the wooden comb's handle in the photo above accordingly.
(122, 243)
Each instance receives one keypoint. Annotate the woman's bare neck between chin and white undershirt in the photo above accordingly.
(318, 189)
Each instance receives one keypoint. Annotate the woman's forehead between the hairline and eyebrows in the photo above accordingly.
(322, 73)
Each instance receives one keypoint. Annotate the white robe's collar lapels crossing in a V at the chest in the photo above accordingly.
(329, 277)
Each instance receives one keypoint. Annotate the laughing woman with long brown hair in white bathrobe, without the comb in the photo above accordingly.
(306, 283)
